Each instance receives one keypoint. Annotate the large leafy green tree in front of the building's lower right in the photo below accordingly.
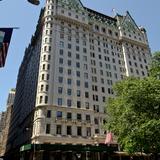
(133, 115)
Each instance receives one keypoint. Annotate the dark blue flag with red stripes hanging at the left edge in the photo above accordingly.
(5, 37)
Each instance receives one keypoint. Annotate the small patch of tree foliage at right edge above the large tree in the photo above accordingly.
(155, 65)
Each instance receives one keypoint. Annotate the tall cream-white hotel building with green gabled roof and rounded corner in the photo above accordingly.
(68, 70)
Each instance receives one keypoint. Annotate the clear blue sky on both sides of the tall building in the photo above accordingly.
(20, 13)
